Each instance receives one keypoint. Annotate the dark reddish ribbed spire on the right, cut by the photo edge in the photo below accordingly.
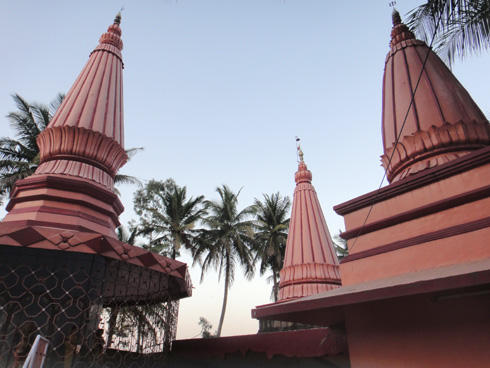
(443, 122)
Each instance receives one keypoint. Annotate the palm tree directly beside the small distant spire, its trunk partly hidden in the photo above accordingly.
(271, 228)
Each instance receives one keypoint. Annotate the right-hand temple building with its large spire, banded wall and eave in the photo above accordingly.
(415, 286)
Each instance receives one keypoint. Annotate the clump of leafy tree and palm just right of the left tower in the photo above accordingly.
(167, 218)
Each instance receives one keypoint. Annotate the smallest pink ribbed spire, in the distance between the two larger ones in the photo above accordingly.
(310, 263)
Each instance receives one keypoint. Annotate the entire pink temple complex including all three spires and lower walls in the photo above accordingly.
(414, 290)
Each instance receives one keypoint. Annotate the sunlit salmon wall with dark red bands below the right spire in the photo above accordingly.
(440, 224)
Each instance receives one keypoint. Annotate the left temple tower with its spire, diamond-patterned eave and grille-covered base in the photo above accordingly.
(63, 272)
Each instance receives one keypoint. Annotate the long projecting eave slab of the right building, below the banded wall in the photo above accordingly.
(327, 309)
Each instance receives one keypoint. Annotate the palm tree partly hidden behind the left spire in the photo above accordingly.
(19, 158)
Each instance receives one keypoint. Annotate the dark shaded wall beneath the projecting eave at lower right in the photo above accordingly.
(420, 331)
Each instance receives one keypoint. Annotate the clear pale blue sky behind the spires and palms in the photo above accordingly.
(216, 92)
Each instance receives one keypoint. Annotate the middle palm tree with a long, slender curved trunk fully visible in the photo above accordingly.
(226, 241)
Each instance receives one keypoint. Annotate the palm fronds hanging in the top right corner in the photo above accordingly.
(464, 26)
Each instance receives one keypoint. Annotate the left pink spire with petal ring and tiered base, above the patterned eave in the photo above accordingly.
(81, 150)
